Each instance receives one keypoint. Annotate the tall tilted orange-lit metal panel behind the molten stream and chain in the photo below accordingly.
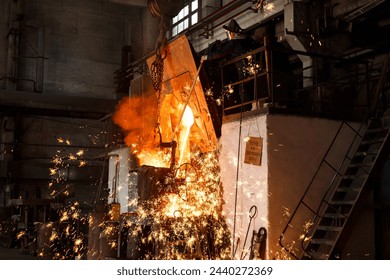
(179, 73)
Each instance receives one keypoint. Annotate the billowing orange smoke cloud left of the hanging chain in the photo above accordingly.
(137, 116)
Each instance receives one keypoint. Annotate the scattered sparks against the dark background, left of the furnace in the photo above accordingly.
(64, 236)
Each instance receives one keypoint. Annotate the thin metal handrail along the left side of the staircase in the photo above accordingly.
(314, 213)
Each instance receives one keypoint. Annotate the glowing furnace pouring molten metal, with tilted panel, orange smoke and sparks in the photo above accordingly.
(176, 191)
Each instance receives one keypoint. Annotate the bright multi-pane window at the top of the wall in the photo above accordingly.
(187, 17)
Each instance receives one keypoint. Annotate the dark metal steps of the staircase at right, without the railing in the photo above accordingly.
(337, 207)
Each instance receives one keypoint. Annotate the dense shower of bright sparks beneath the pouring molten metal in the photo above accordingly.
(185, 215)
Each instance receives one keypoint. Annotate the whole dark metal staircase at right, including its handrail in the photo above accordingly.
(315, 227)
